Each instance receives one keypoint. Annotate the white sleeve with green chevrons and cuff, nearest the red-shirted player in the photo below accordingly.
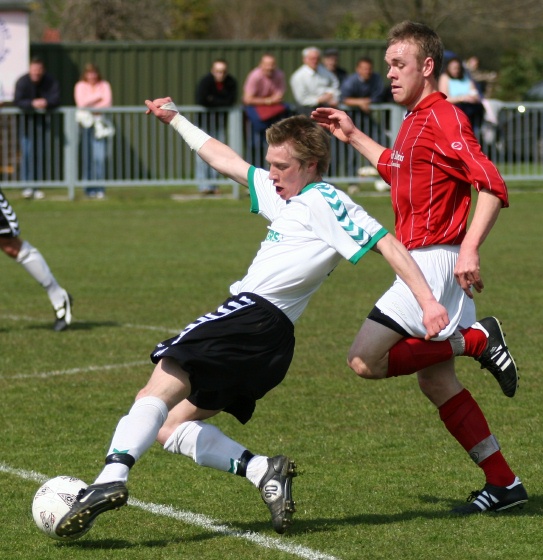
(342, 224)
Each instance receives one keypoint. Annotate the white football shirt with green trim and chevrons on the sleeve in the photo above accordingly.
(307, 238)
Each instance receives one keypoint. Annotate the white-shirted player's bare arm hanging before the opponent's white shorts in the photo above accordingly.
(434, 315)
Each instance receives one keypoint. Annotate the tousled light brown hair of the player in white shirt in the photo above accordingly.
(308, 140)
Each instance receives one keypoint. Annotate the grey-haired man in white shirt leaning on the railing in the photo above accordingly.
(312, 84)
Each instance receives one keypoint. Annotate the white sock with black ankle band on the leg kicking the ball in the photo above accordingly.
(135, 434)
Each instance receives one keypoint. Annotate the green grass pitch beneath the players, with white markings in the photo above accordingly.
(378, 471)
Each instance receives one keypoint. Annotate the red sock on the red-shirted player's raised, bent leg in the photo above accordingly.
(413, 354)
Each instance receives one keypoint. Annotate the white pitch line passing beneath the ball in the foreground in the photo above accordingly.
(199, 520)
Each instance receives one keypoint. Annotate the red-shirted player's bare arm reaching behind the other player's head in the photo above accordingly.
(342, 127)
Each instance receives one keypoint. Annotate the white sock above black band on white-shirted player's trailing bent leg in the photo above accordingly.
(206, 445)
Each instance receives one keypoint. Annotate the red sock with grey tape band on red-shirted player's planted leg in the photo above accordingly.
(467, 424)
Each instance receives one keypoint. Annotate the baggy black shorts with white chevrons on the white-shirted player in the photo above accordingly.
(234, 355)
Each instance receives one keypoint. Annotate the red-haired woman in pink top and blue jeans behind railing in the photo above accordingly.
(93, 92)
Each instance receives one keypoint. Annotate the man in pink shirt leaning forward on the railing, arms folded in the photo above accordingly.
(263, 93)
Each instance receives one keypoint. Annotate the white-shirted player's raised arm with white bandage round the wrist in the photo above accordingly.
(218, 155)
